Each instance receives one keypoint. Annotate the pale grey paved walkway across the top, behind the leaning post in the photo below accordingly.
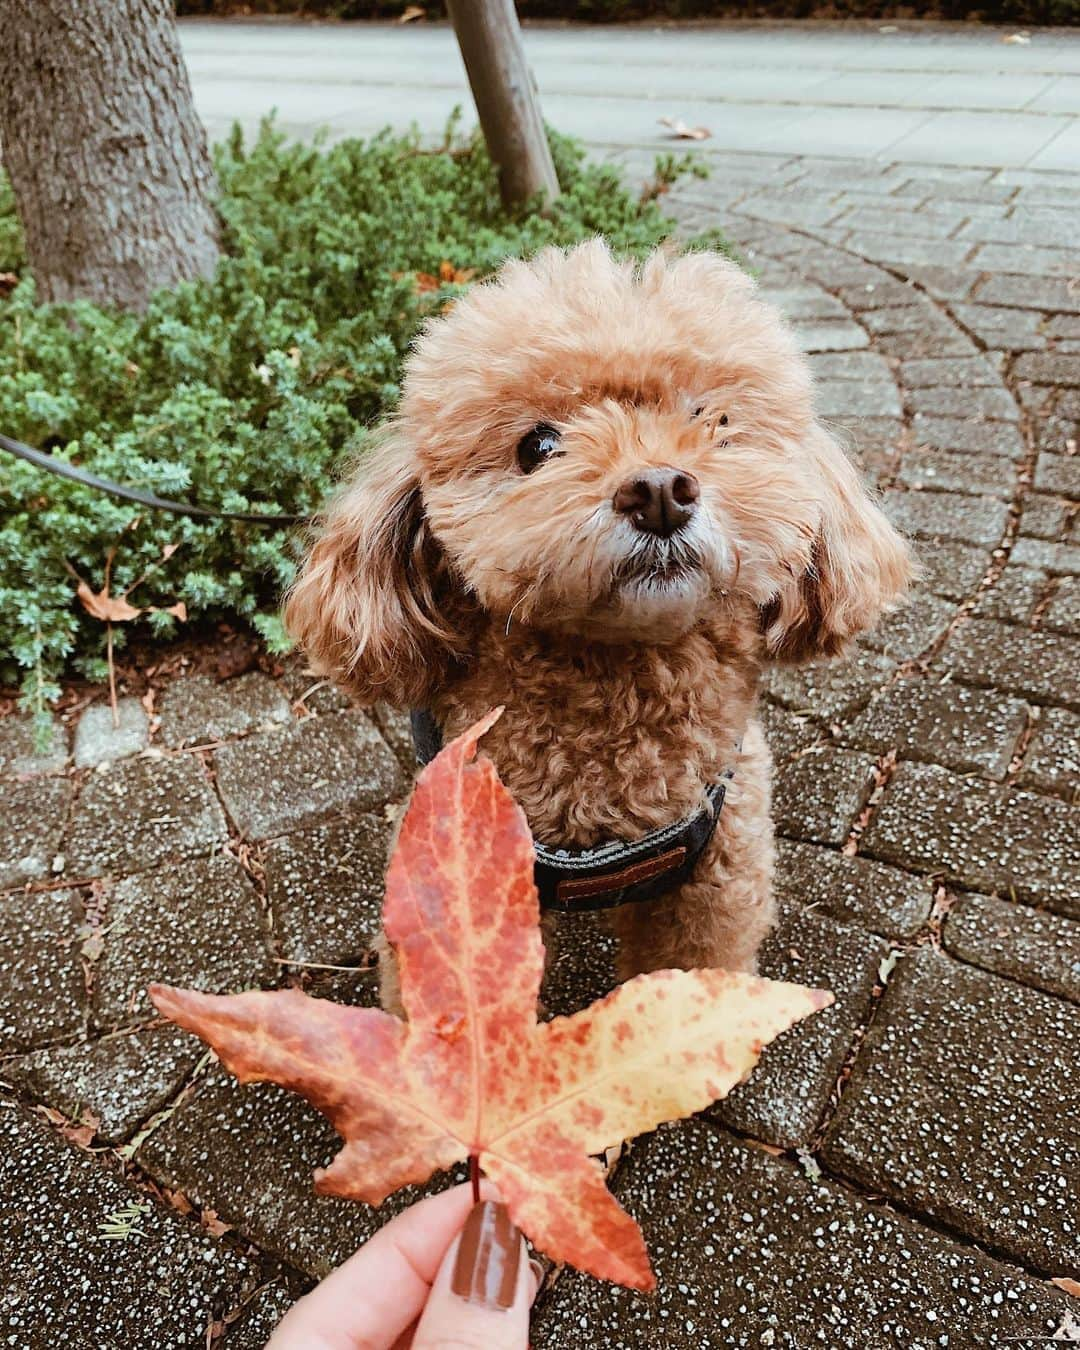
(924, 94)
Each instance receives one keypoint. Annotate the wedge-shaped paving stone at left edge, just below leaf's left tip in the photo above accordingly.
(121, 1079)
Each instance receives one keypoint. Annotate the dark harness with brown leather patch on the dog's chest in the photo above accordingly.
(576, 881)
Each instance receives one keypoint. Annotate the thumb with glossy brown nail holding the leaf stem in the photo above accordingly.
(484, 1290)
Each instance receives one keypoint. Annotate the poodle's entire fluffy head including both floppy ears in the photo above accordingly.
(592, 448)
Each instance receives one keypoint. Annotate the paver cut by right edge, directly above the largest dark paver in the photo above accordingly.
(1028, 946)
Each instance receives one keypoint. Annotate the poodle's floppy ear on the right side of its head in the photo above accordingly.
(859, 569)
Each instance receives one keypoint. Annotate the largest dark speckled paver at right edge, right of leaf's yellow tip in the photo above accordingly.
(955, 1046)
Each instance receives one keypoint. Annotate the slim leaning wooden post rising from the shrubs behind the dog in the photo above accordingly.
(503, 87)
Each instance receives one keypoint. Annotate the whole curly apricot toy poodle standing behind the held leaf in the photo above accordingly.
(605, 504)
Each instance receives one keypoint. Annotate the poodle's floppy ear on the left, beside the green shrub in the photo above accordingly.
(376, 605)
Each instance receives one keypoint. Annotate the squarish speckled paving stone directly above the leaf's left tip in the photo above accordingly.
(200, 925)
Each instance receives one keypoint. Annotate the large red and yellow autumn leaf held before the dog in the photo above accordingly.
(472, 1073)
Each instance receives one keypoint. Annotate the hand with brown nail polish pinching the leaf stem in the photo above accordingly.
(445, 1274)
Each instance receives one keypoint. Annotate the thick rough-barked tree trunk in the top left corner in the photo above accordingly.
(106, 155)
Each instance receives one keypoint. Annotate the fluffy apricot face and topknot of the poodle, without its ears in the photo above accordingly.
(605, 450)
